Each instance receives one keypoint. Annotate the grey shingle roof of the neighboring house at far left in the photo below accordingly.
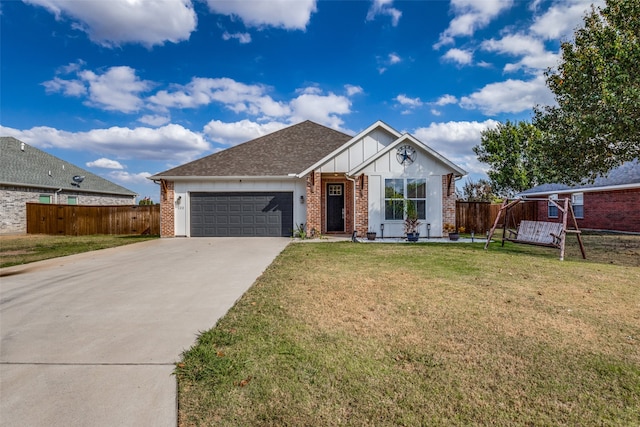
(24, 165)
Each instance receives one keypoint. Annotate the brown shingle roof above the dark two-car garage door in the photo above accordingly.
(281, 153)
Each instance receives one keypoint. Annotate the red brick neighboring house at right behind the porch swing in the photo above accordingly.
(609, 203)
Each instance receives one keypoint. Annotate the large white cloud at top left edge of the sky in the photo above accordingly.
(115, 22)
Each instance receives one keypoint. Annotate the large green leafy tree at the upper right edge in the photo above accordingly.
(595, 125)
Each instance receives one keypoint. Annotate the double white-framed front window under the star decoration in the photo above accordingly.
(398, 191)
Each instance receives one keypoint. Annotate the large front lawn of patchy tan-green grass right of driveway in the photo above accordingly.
(351, 334)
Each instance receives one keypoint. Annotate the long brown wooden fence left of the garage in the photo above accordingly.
(75, 220)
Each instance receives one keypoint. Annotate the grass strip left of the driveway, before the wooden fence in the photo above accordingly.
(16, 250)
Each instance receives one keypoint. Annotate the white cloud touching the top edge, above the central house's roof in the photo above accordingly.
(287, 14)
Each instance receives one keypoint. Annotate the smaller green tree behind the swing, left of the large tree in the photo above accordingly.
(512, 150)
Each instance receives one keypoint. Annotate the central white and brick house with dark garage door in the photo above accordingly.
(312, 175)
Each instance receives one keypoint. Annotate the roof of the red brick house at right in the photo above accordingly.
(623, 177)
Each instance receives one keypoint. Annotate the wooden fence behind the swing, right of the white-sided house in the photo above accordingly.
(480, 216)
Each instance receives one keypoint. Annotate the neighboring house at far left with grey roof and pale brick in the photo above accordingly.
(28, 174)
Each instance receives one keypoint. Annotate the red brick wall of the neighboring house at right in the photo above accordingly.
(604, 210)
